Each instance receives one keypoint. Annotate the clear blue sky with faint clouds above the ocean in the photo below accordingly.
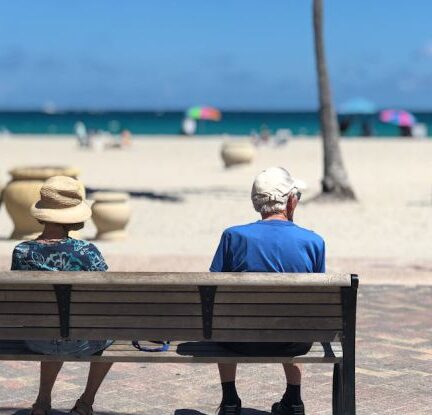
(234, 54)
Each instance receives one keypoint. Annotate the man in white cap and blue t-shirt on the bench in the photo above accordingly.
(273, 244)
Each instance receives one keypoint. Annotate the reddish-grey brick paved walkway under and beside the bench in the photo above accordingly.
(394, 372)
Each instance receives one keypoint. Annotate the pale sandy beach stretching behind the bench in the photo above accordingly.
(385, 235)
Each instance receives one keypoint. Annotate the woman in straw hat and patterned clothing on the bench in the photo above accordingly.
(62, 209)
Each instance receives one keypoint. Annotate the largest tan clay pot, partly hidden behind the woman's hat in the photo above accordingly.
(24, 190)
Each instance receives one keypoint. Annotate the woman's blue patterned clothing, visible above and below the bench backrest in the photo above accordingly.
(63, 255)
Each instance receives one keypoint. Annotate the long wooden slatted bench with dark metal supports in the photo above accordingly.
(193, 310)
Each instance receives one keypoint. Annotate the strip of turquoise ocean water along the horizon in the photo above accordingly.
(234, 123)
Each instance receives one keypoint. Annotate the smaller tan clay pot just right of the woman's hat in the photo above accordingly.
(111, 213)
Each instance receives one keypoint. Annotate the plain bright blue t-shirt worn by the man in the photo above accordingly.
(269, 246)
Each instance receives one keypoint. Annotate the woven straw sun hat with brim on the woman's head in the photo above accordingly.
(61, 201)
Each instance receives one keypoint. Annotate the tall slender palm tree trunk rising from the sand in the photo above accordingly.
(335, 182)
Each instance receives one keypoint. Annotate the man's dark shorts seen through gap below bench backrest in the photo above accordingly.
(267, 349)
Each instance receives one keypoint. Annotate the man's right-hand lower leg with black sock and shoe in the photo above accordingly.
(291, 403)
